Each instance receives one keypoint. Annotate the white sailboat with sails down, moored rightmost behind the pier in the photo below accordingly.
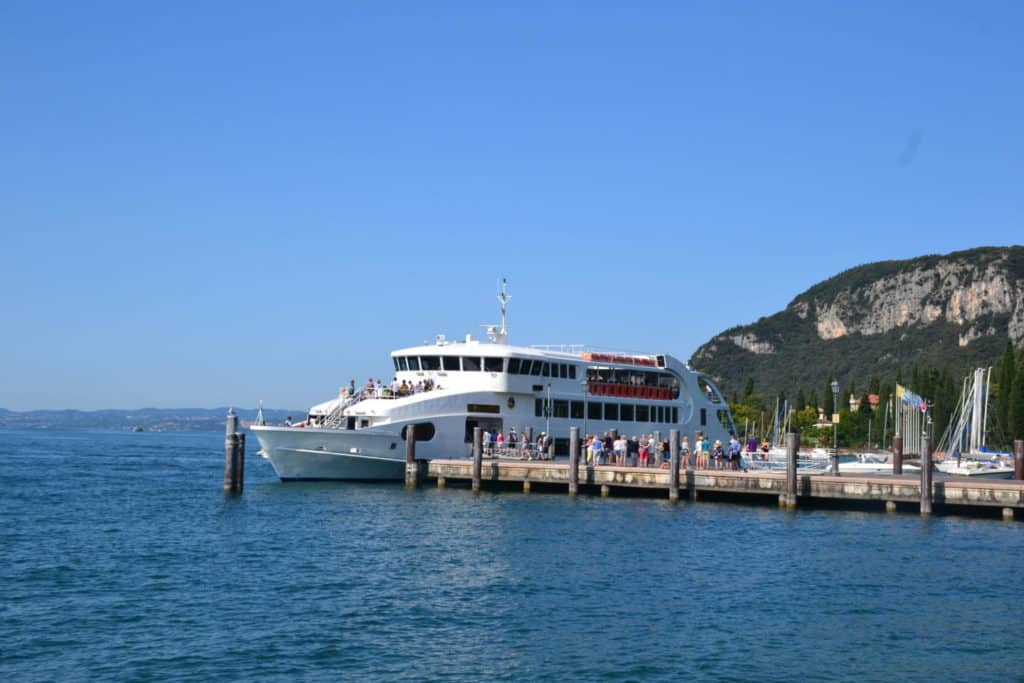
(964, 441)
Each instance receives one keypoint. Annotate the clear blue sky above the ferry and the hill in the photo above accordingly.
(208, 204)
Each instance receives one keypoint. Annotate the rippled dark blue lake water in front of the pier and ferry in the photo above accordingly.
(120, 559)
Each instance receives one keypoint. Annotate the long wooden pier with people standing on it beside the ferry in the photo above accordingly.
(949, 495)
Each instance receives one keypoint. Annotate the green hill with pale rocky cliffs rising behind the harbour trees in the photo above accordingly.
(948, 312)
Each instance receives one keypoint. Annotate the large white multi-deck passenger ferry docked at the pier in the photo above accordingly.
(498, 388)
